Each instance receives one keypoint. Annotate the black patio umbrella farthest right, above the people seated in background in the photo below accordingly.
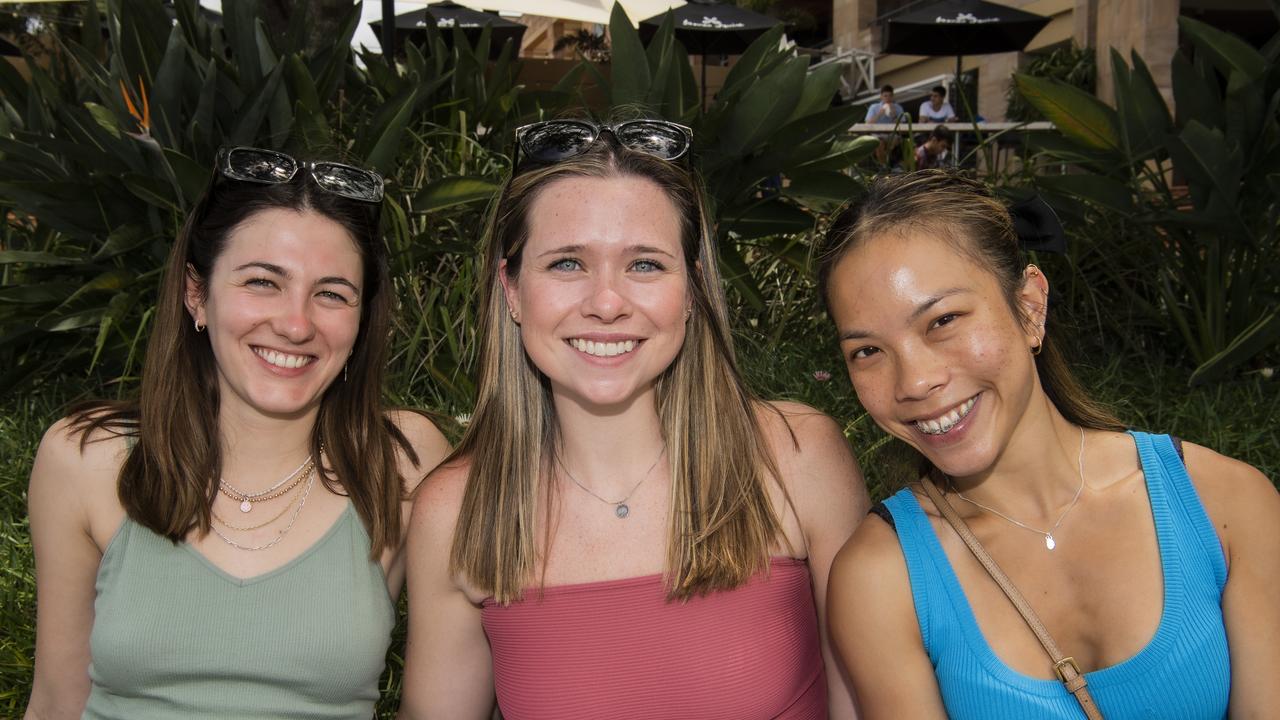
(961, 28)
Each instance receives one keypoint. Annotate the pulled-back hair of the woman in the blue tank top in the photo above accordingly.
(967, 215)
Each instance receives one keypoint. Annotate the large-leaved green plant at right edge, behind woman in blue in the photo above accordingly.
(1197, 192)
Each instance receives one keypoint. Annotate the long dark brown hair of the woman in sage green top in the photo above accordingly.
(170, 479)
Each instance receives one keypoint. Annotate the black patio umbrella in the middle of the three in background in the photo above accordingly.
(710, 28)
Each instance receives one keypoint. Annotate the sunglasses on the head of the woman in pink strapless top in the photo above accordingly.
(554, 142)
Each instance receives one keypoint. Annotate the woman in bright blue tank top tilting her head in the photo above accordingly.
(1158, 576)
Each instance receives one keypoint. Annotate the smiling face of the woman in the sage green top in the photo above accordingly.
(282, 307)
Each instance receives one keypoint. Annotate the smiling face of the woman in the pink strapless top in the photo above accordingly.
(602, 291)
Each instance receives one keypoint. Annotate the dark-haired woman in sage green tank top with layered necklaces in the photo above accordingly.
(228, 545)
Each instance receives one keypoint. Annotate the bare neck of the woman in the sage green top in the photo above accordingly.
(259, 450)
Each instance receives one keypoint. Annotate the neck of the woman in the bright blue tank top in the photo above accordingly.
(1039, 471)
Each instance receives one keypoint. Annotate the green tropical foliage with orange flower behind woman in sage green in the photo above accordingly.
(104, 151)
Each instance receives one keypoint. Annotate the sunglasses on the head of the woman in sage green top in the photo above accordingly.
(269, 167)
